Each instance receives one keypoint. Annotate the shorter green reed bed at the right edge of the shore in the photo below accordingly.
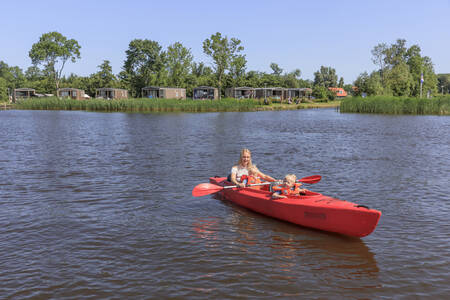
(397, 105)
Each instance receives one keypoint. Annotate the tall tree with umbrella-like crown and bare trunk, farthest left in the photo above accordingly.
(53, 51)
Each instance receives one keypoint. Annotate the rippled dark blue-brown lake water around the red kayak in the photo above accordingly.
(99, 205)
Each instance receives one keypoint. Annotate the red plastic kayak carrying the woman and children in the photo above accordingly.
(311, 210)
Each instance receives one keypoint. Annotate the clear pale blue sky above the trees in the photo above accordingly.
(293, 34)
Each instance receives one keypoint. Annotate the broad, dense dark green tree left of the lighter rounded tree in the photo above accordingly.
(144, 65)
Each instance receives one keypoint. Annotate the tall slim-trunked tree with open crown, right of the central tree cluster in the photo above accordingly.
(222, 51)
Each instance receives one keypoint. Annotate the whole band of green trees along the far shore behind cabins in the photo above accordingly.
(148, 64)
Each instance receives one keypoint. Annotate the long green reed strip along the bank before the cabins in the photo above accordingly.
(140, 105)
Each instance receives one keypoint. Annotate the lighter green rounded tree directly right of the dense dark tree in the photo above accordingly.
(179, 60)
